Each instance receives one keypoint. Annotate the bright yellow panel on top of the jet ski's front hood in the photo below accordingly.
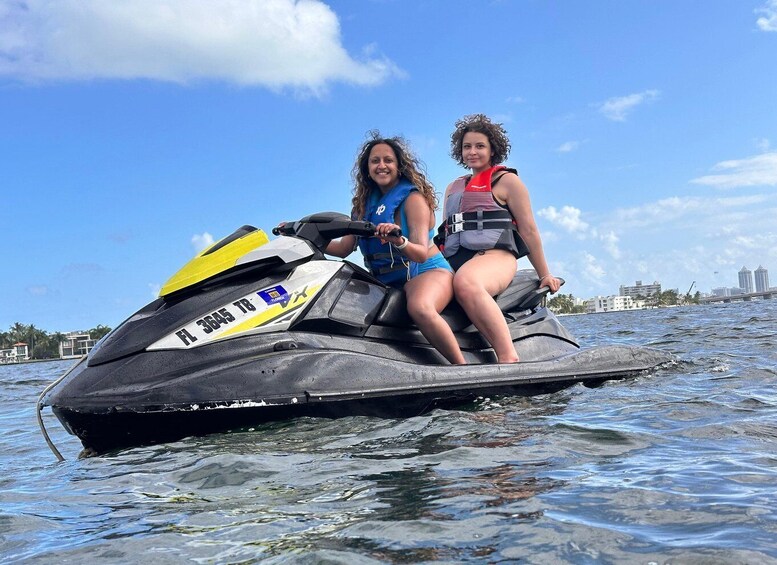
(216, 259)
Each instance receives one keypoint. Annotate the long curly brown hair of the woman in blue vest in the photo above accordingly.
(408, 165)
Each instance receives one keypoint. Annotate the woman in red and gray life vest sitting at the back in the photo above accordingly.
(487, 225)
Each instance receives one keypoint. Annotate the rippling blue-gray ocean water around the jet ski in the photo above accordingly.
(676, 466)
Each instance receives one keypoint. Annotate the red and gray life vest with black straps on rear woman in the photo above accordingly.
(475, 221)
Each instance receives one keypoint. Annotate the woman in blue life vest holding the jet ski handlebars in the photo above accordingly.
(391, 191)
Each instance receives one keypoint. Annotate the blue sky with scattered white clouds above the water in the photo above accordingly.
(134, 132)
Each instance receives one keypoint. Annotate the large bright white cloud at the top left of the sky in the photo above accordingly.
(270, 43)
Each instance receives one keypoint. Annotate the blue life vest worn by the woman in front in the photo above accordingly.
(385, 264)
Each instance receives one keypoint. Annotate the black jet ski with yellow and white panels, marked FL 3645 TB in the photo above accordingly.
(255, 330)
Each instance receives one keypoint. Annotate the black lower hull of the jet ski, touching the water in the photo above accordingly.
(330, 384)
